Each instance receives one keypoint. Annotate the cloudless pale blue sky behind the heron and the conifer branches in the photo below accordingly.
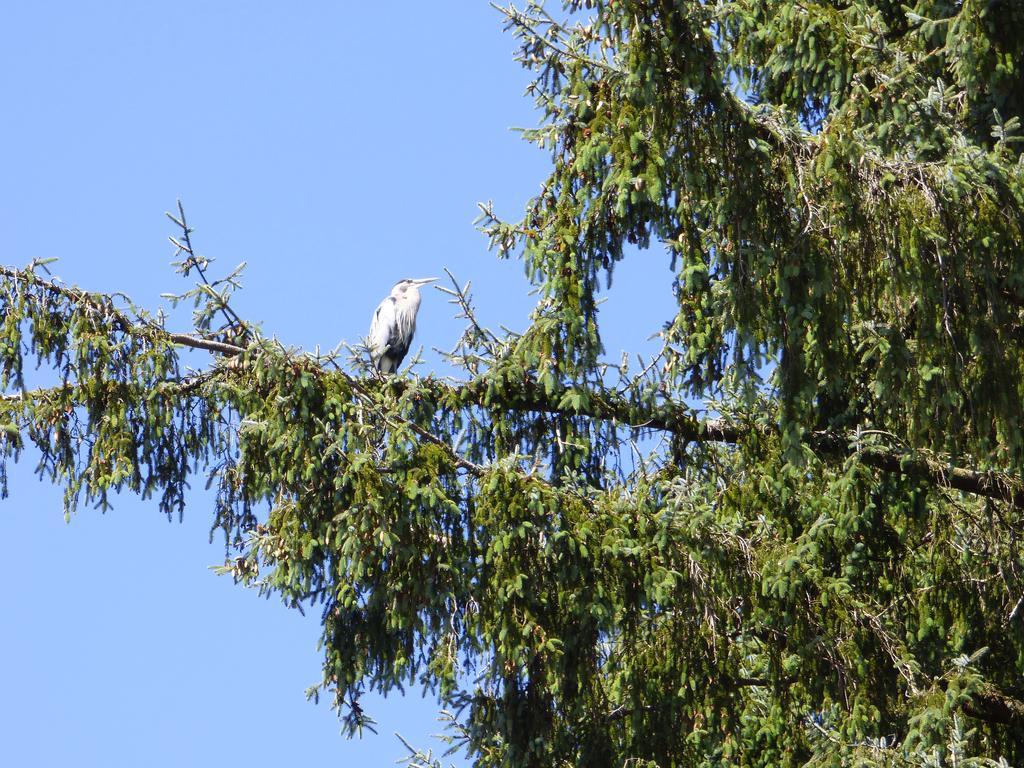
(336, 147)
